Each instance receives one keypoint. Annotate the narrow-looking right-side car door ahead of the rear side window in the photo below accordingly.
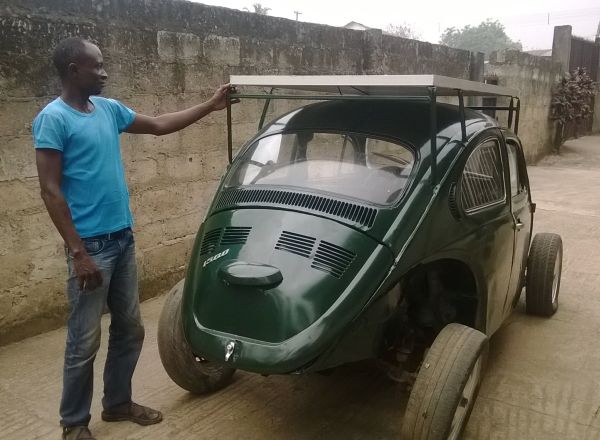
(522, 214)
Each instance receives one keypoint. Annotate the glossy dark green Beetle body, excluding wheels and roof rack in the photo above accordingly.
(285, 279)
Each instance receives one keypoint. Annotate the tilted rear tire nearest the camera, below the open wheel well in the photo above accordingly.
(437, 395)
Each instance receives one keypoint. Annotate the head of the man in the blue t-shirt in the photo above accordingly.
(88, 73)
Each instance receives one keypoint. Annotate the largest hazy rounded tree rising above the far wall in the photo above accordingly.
(487, 37)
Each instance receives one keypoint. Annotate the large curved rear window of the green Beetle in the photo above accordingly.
(347, 164)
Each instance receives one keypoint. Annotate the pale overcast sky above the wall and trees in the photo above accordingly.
(529, 21)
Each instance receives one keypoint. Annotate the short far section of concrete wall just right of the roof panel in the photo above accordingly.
(534, 77)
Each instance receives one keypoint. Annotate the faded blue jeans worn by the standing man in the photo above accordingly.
(115, 258)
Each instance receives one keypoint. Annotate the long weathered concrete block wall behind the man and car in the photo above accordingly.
(161, 55)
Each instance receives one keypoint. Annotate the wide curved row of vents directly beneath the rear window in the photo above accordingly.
(359, 214)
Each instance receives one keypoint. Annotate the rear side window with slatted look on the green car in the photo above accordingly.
(482, 182)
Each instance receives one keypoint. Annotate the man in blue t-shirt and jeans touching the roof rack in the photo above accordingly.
(83, 186)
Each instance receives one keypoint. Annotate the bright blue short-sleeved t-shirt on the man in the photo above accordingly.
(93, 178)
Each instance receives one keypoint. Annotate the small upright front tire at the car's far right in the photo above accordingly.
(544, 267)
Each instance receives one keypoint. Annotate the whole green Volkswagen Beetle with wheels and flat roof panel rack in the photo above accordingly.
(376, 222)
